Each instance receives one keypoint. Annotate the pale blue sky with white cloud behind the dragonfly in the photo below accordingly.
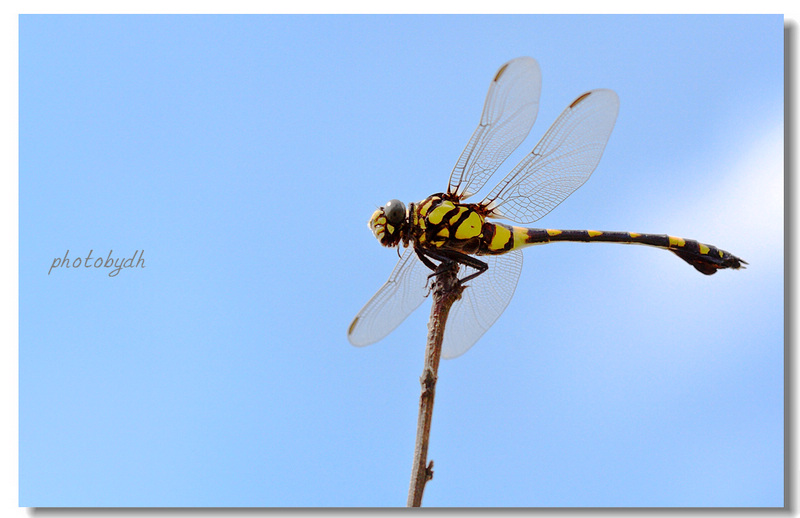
(244, 155)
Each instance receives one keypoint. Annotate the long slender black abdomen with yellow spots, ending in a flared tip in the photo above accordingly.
(705, 258)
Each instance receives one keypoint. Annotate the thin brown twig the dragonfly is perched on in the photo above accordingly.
(446, 290)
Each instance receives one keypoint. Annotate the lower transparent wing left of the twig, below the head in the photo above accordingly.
(403, 293)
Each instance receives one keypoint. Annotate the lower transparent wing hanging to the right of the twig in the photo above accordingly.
(483, 301)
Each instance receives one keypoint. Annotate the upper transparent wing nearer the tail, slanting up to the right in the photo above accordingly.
(560, 163)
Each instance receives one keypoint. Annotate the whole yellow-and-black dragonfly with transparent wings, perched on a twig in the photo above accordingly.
(445, 231)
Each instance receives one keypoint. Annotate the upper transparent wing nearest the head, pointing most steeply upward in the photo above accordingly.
(508, 116)
